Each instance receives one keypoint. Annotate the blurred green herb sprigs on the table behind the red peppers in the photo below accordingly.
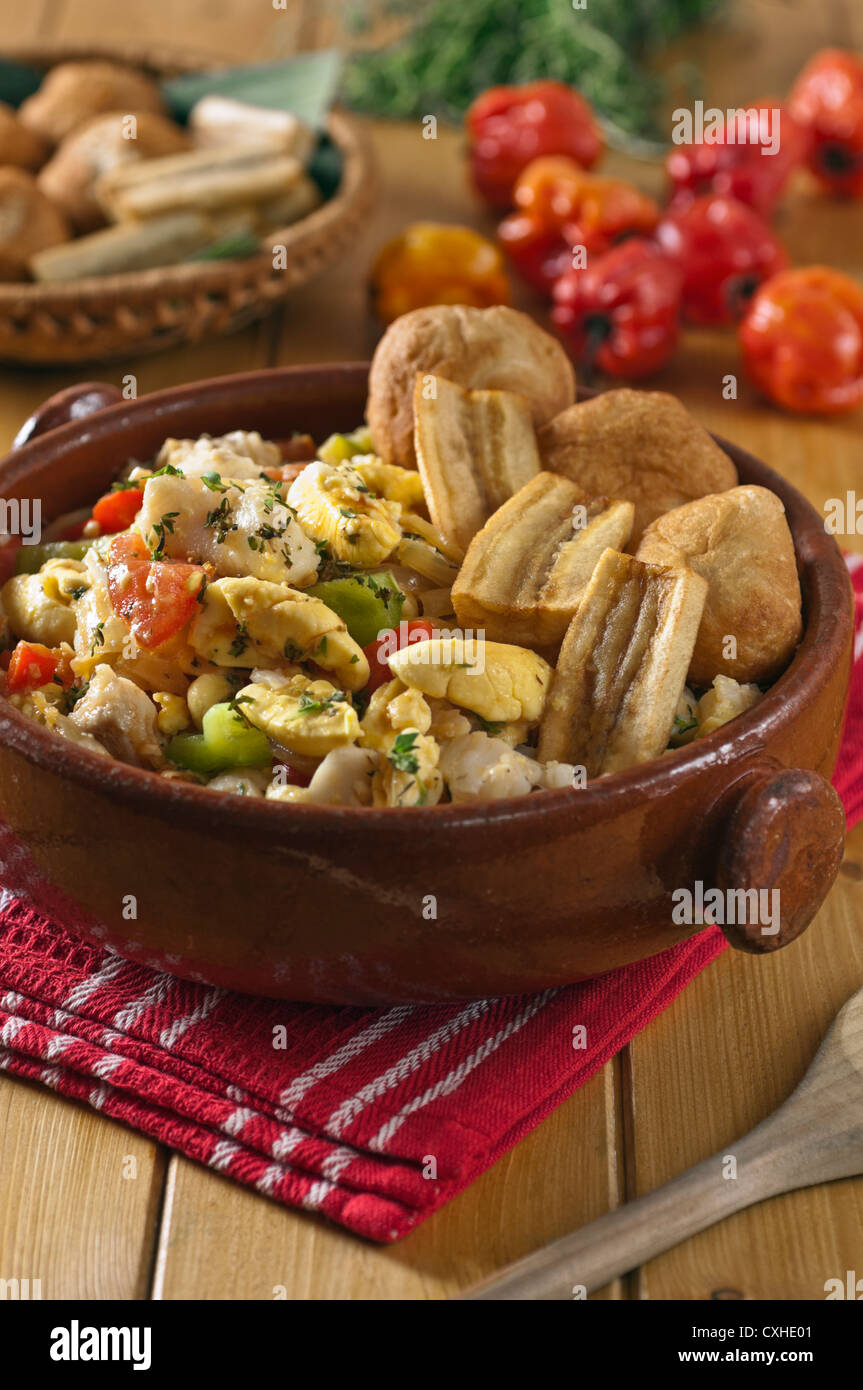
(455, 49)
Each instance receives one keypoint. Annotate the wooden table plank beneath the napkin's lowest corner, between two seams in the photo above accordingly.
(223, 1242)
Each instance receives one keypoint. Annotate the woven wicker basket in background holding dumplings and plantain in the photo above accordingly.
(141, 312)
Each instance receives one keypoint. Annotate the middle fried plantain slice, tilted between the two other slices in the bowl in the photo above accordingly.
(526, 571)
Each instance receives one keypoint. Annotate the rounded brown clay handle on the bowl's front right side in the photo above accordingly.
(784, 836)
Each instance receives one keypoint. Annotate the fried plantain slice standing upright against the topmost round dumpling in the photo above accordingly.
(475, 451)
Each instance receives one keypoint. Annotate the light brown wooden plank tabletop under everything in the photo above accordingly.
(726, 1053)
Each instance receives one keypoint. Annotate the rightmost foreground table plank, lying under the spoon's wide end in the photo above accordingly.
(725, 1056)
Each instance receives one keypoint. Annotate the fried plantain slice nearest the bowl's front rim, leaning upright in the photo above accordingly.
(623, 667)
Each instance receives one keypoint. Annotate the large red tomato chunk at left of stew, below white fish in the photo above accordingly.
(156, 598)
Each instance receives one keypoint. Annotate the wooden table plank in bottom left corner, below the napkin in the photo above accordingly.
(79, 1197)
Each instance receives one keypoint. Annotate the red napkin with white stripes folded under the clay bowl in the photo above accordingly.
(373, 1118)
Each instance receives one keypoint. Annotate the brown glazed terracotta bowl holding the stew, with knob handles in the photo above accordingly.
(380, 906)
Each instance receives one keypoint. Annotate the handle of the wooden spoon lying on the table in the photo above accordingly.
(634, 1234)
